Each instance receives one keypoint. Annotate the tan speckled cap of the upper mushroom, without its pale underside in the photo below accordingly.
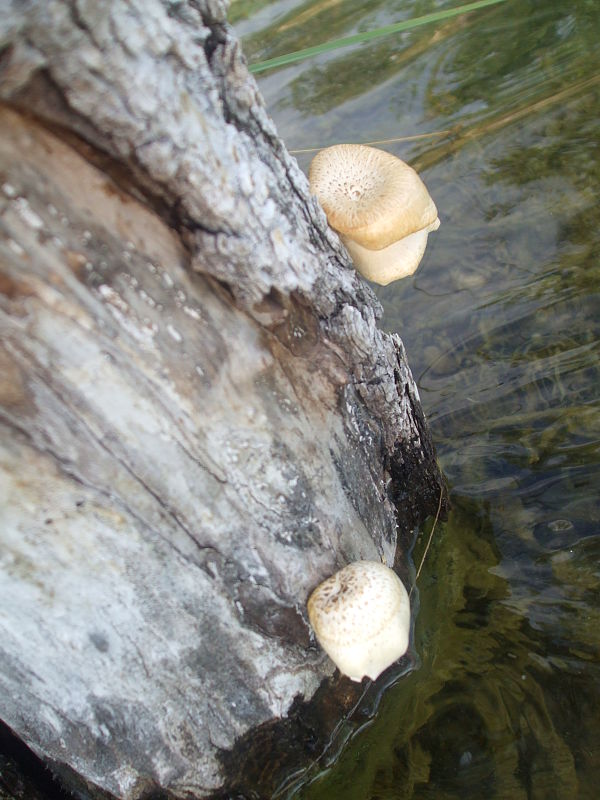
(370, 196)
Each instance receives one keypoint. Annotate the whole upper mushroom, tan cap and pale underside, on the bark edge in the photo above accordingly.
(379, 207)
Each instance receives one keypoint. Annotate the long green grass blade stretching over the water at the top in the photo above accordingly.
(358, 38)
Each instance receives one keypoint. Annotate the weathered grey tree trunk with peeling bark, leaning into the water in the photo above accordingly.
(200, 419)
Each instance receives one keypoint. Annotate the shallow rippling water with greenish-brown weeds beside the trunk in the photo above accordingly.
(502, 327)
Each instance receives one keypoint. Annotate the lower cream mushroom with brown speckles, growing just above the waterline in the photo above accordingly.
(361, 618)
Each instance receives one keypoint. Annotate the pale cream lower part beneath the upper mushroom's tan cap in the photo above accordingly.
(393, 262)
